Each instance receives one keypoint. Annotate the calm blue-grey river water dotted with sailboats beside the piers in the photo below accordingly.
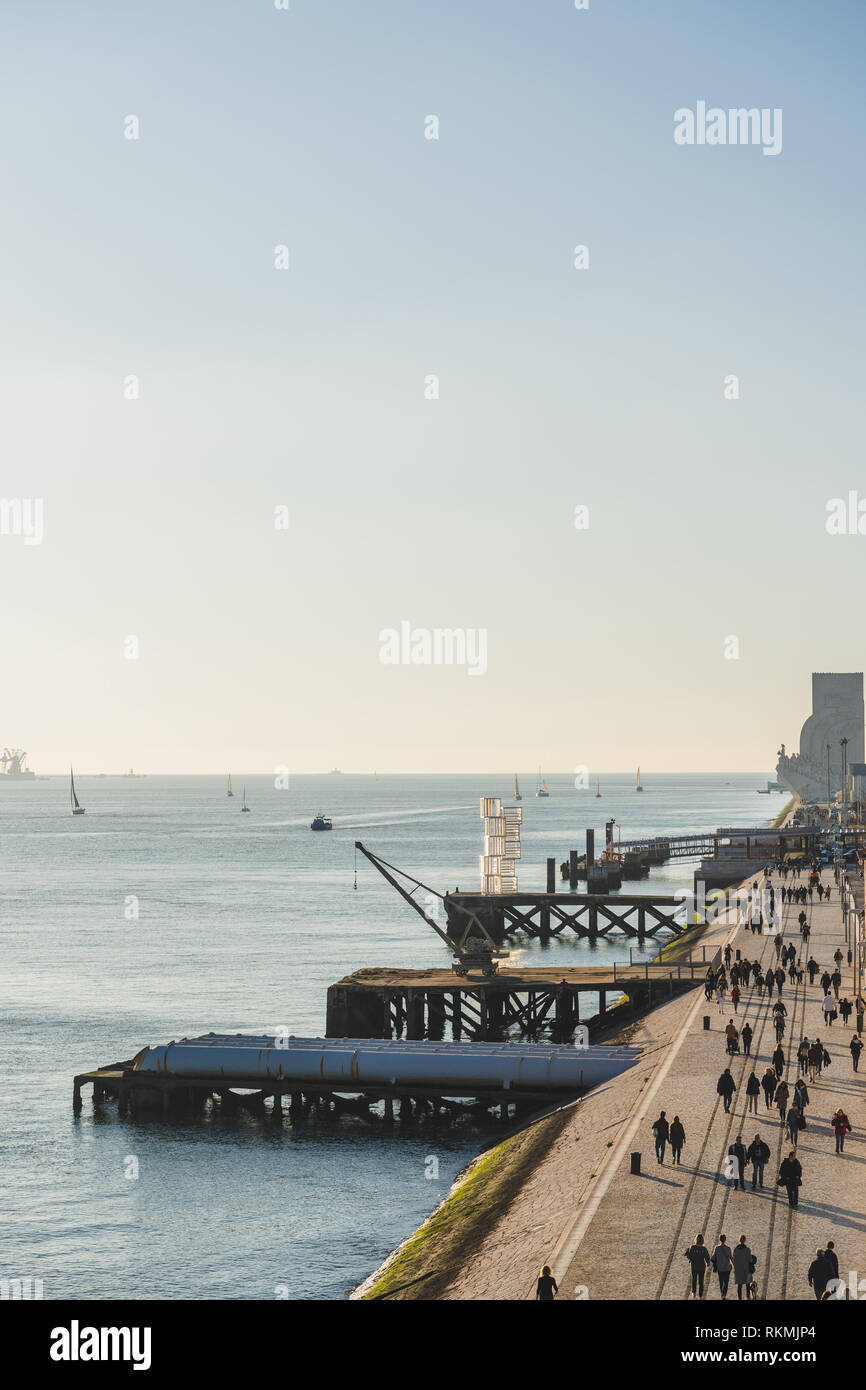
(243, 924)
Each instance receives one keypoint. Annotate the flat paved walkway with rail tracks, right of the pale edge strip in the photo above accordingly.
(629, 1236)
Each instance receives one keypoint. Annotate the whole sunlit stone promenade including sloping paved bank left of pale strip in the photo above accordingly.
(614, 1235)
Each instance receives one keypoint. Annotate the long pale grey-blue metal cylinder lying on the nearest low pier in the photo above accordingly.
(366, 1063)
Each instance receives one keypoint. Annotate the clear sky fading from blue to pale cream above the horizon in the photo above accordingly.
(309, 389)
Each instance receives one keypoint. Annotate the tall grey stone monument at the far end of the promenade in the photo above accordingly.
(818, 771)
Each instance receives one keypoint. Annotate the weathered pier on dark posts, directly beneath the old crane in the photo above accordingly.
(537, 1004)
